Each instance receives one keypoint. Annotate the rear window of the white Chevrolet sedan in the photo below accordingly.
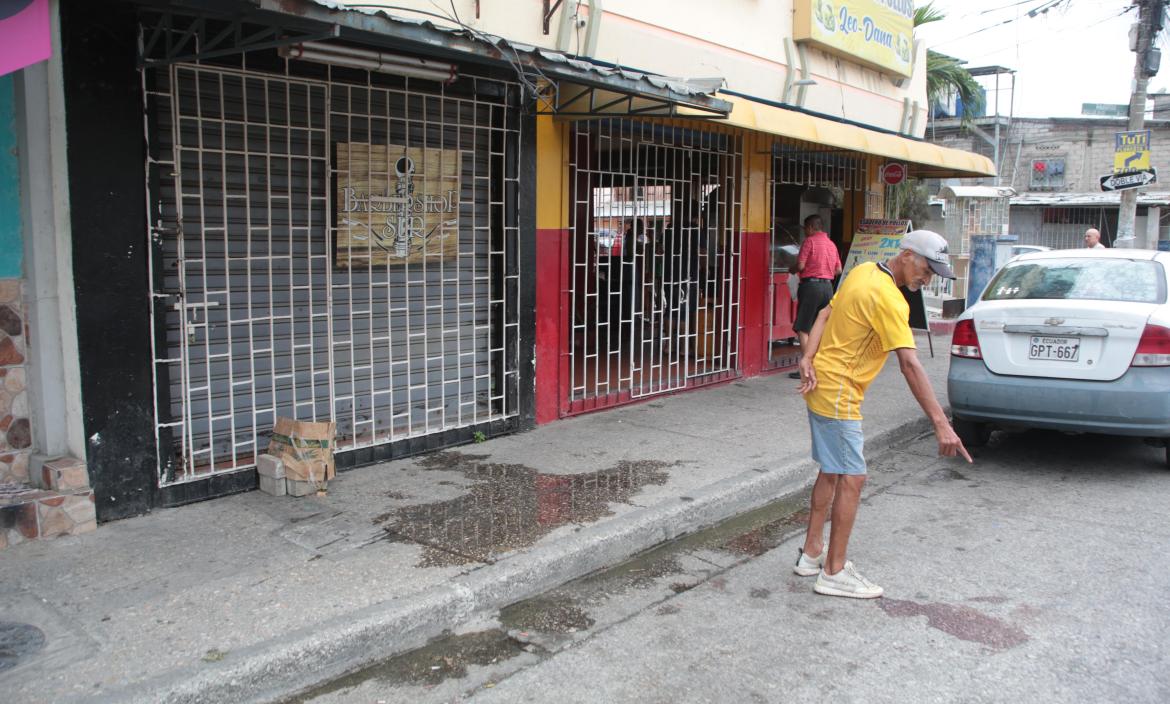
(1080, 279)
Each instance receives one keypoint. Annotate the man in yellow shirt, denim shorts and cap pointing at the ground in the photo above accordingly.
(866, 321)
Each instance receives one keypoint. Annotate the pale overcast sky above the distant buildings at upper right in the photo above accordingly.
(1076, 53)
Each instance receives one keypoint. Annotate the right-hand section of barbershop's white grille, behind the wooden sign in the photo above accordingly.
(430, 344)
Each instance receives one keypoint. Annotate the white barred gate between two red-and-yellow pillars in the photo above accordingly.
(655, 277)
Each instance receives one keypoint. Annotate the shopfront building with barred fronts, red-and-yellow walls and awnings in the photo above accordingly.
(423, 227)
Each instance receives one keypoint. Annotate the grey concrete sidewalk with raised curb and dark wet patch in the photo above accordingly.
(254, 598)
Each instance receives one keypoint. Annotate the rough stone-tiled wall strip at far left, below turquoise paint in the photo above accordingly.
(16, 434)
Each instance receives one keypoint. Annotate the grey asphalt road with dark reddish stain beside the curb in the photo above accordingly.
(1038, 574)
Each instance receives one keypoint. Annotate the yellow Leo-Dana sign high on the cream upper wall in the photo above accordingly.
(876, 33)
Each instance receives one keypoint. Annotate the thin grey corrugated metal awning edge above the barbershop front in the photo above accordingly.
(684, 87)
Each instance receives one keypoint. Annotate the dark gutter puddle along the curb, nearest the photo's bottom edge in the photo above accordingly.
(445, 659)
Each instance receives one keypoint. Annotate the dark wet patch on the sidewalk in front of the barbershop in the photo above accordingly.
(510, 507)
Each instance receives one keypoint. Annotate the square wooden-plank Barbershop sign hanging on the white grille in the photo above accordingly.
(396, 205)
